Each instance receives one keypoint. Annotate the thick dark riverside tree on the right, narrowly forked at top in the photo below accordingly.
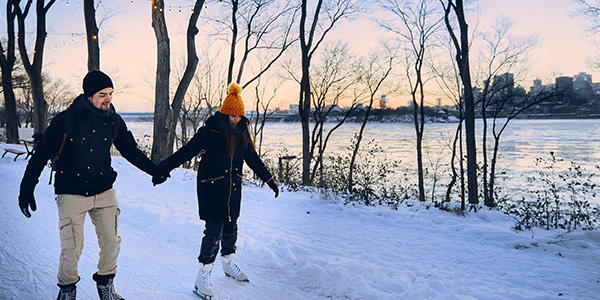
(454, 10)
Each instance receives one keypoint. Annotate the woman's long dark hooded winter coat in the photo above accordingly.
(219, 182)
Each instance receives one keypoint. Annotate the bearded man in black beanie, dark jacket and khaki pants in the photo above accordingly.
(78, 142)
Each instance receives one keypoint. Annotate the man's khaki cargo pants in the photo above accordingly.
(104, 212)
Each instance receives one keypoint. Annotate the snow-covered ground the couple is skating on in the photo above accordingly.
(298, 246)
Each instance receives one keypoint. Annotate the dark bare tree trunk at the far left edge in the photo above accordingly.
(7, 64)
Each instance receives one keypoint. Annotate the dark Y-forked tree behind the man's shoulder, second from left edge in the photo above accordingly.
(34, 68)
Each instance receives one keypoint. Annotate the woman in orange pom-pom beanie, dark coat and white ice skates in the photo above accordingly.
(224, 143)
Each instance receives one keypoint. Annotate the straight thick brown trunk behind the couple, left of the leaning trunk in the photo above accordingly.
(163, 115)
